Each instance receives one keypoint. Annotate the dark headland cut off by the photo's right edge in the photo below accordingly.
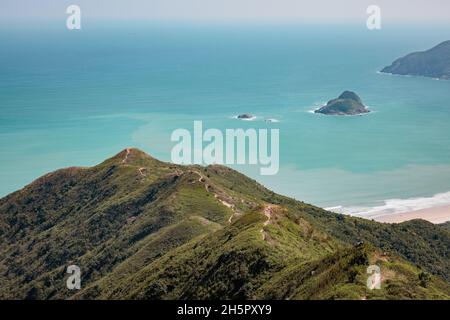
(434, 63)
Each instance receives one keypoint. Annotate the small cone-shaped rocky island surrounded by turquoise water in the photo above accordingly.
(348, 103)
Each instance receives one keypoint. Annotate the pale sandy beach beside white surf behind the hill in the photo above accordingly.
(436, 215)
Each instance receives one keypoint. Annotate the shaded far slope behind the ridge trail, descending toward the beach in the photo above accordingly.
(417, 241)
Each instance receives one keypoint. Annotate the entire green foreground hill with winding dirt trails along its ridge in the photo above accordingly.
(144, 229)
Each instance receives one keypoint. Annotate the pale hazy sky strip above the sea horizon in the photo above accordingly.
(226, 10)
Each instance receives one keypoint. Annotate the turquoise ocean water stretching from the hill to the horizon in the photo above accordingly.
(74, 98)
